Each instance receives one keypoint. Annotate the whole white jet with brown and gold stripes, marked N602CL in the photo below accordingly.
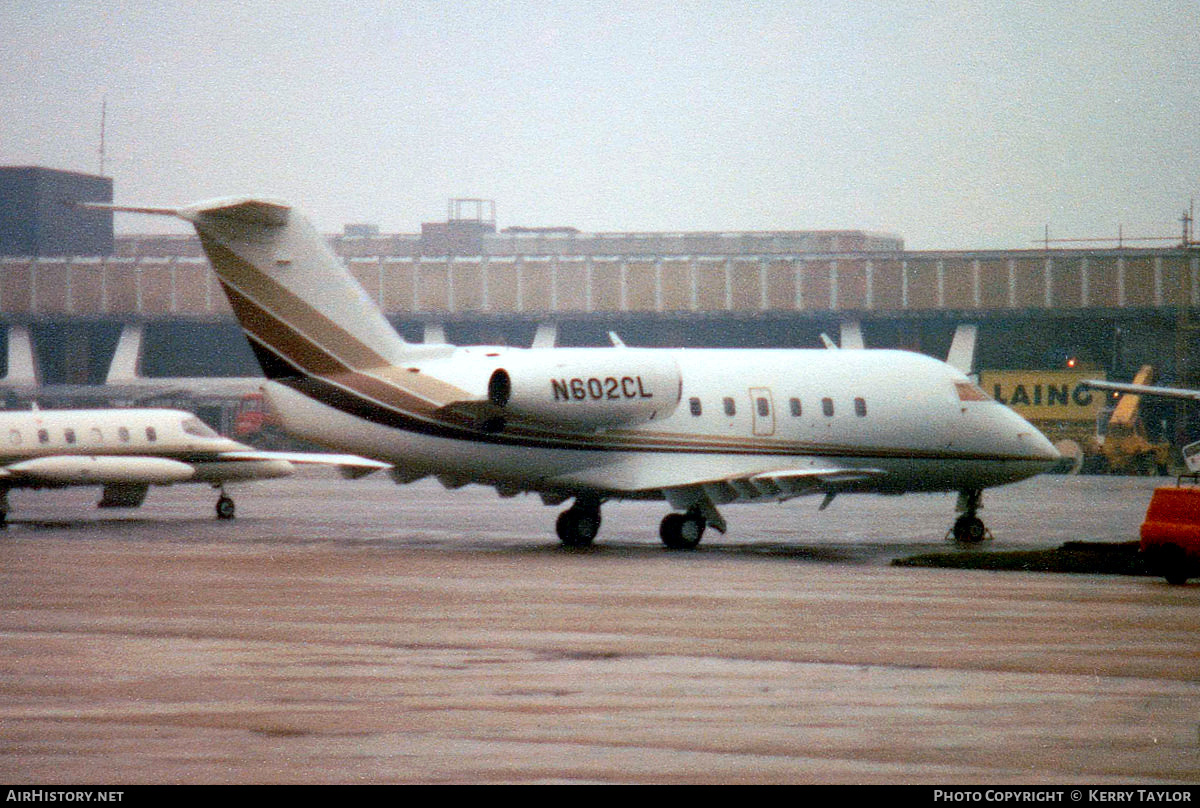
(697, 428)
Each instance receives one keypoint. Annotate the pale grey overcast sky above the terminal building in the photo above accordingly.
(957, 125)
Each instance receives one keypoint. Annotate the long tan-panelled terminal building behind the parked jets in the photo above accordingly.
(149, 307)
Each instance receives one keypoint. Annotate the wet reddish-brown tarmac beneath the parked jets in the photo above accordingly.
(358, 632)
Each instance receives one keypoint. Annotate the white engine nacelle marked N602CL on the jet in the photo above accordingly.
(587, 388)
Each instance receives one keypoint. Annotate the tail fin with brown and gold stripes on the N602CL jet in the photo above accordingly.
(301, 307)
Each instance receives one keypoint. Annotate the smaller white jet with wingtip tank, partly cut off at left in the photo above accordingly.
(129, 451)
